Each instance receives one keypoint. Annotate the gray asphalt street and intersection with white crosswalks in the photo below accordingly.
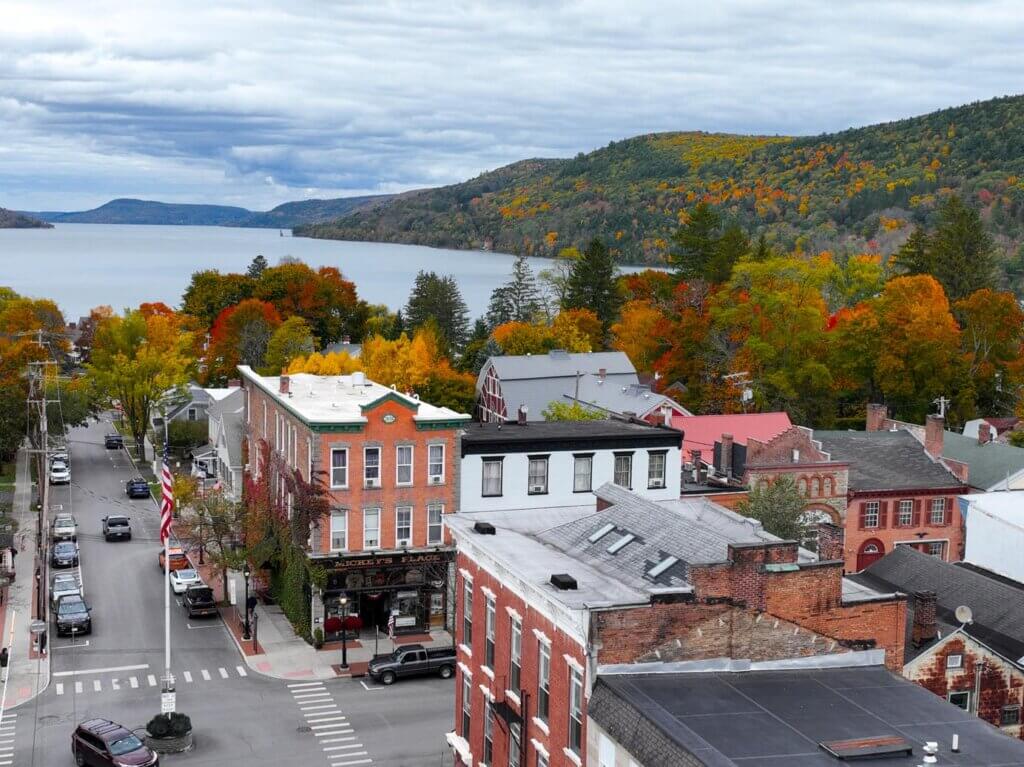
(239, 716)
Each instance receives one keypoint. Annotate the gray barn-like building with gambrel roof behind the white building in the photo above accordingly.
(605, 381)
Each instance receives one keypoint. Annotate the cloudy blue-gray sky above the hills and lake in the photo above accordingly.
(255, 103)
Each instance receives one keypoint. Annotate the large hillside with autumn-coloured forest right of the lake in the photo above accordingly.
(859, 190)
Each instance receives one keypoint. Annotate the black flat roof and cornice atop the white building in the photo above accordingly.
(566, 436)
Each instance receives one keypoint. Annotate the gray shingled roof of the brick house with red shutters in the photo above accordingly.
(886, 461)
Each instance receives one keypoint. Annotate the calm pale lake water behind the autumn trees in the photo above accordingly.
(86, 266)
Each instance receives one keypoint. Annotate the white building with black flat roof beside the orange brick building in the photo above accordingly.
(558, 464)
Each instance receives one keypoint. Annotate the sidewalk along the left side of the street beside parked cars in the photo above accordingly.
(29, 673)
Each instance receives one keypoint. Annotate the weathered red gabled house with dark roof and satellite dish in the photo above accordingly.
(973, 658)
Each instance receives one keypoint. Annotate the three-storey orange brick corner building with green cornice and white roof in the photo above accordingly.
(391, 463)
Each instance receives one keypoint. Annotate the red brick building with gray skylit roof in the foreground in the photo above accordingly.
(546, 601)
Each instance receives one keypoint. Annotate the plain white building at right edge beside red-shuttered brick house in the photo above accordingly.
(995, 532)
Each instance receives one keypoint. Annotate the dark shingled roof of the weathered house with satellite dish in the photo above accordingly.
(998, 606)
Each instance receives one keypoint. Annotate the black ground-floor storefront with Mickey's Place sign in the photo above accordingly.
(411, 587)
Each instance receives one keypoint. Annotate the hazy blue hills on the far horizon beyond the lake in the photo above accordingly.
(126, 211)
